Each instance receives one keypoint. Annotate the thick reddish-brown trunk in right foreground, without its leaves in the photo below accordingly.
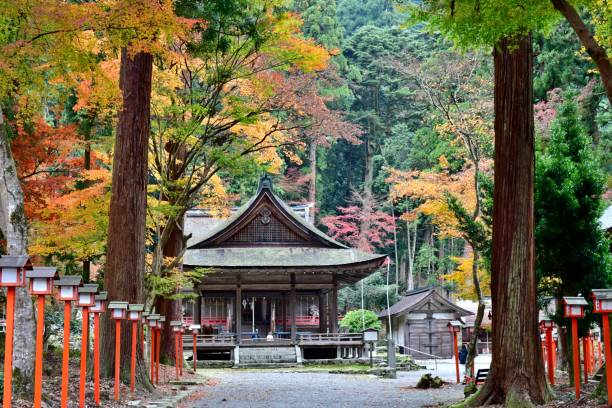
(517, 375)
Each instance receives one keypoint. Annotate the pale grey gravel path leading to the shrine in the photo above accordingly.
(272, 389)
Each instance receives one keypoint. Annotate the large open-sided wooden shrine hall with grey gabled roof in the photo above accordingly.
(272, 274)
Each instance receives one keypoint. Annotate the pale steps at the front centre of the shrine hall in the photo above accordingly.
(267, 356)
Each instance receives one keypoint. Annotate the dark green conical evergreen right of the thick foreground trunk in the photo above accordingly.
(571, 247)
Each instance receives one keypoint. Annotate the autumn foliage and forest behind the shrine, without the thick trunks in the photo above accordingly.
(386, 128)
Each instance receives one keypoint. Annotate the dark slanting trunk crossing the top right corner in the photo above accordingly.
(593, 48)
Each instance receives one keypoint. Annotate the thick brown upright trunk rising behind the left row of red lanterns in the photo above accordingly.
(125, 258)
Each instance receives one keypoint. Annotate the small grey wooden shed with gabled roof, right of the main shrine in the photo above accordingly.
(419, 323)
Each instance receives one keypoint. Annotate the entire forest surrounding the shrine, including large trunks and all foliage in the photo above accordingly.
(118, 116)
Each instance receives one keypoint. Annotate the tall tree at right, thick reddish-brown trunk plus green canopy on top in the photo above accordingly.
(513, 380)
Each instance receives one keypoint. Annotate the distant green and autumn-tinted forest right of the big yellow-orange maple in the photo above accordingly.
(424, 114)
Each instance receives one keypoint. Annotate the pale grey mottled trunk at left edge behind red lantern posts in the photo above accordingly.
(15, 230)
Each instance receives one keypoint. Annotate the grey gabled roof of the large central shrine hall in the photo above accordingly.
(266, 234)
